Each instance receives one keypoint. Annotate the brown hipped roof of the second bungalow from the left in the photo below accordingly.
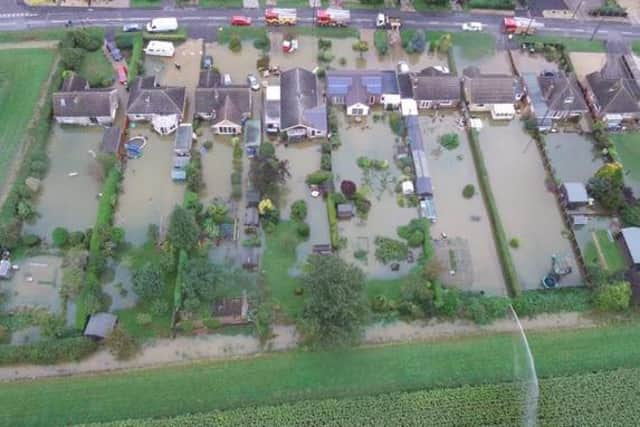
(146, 97)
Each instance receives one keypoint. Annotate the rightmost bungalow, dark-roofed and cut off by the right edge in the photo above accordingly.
(613, 93)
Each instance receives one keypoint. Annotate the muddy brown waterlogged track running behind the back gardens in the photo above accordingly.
(183, 350)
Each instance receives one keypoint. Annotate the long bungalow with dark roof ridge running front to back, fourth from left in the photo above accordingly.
(303, 111)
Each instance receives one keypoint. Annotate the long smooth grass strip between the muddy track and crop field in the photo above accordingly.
(282, 377)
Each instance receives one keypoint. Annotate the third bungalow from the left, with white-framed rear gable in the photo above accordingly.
(227, 107)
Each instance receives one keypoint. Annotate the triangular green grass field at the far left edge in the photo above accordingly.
(22, 75)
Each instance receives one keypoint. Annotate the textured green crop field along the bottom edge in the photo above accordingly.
(610, 396)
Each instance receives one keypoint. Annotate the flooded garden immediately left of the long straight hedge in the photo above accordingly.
(464, 221)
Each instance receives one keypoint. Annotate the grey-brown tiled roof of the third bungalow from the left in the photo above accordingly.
(231, 103)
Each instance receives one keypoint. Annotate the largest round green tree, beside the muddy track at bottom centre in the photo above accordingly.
(336, 306)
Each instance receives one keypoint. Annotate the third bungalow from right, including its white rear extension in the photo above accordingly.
(494, 93)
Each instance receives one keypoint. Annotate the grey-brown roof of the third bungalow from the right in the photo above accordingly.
(489, 88)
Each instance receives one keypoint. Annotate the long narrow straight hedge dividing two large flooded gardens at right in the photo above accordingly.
(502, 243)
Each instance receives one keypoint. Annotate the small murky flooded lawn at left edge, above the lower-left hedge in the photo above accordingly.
(36, 284)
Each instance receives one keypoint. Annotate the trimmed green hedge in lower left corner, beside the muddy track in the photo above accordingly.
(48, 352)
